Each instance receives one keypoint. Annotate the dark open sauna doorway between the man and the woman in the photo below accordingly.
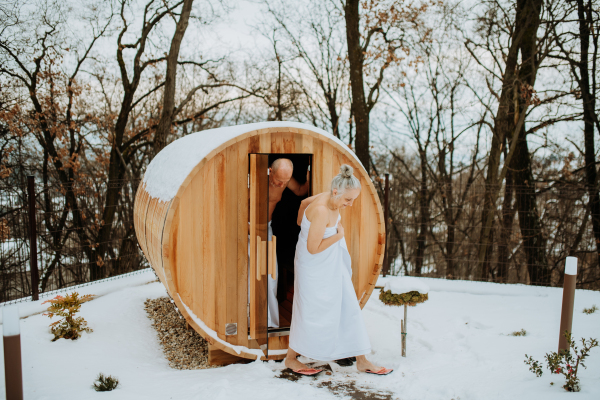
(286, 229)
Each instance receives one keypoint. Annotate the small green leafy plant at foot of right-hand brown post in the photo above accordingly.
(567, 362)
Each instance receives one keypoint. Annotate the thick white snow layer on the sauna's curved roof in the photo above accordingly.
(167, 171)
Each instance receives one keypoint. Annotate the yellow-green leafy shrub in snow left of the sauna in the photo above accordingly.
(67, 306)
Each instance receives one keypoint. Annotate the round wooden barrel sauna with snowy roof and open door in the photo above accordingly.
(201, 215)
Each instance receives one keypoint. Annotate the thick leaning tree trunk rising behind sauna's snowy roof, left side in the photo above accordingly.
(166, 119)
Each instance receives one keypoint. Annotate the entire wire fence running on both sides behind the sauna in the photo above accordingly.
(433, 232)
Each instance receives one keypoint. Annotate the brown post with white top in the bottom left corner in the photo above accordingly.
(13, 372)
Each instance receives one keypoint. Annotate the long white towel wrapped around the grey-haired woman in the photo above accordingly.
(327, 322)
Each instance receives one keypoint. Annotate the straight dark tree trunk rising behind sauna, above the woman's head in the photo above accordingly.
(356, 59)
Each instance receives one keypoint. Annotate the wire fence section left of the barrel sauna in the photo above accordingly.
(67, 238)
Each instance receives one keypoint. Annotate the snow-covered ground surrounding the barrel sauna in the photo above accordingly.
(458, 347)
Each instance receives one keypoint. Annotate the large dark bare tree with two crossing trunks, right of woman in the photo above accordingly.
(523, 56)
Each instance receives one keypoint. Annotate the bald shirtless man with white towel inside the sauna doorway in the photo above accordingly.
(280, 177)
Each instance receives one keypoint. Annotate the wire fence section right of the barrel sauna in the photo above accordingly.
(438, 232)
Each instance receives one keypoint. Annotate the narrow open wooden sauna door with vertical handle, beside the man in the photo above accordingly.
(259, 246)
